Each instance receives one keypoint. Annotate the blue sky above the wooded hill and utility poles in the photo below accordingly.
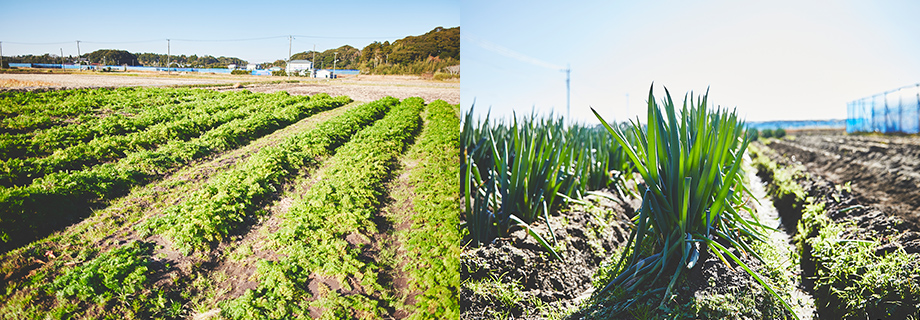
(144, 26)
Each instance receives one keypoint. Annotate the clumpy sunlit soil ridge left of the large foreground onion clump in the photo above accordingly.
(589, 234)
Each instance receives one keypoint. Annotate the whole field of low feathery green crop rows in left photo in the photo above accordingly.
(193, 203)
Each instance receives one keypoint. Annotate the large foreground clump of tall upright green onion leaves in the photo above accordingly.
(691, 167)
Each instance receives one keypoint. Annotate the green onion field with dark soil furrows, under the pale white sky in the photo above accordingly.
(810, 226)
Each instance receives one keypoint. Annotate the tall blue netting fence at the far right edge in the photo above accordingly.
(888, 112)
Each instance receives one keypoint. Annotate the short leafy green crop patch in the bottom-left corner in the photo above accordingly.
(111, 285)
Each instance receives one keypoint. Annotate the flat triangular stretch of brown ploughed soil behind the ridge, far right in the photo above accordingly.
(882, 172)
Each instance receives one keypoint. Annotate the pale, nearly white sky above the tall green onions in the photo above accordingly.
(773, 60)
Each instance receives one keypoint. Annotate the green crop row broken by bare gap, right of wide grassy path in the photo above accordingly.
(118, 282)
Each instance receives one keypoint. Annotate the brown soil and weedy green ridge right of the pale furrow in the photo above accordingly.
(853, 200)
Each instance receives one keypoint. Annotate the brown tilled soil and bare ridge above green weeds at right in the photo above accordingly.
(883, 210)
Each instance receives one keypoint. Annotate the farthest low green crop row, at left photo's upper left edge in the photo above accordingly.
(24, 112)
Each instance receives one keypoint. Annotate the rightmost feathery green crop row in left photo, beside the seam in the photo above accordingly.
(434, 245)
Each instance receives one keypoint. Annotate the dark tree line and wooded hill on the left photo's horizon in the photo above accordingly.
(426, 53)
